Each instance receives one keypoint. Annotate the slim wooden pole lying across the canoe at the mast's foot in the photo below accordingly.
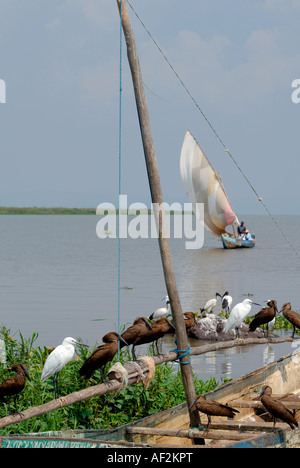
(188, 433)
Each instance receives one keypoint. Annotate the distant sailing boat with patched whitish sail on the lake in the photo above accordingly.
(203, 185)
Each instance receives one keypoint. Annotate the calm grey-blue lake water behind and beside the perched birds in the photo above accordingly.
(59, 279)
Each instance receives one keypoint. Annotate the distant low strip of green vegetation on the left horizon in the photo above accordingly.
(46, 211)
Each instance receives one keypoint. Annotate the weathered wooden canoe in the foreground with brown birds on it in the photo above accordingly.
(252, 428)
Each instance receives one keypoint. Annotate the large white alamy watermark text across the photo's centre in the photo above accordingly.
(138, 221)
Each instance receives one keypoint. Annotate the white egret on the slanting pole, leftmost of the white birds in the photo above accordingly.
(57, 360)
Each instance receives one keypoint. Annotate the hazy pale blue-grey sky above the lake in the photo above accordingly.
(60, 61)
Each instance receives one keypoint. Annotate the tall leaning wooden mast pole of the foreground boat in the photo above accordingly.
(157, 200)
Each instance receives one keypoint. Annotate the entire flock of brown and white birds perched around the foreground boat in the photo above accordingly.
(150, 330)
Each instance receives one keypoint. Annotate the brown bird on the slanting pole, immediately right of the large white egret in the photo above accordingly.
(102, 355)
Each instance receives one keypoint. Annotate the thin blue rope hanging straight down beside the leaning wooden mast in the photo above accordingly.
(120, 179)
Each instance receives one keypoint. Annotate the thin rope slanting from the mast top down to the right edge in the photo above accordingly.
(218, 137)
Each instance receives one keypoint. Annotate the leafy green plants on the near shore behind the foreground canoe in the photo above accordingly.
(107, 411)
